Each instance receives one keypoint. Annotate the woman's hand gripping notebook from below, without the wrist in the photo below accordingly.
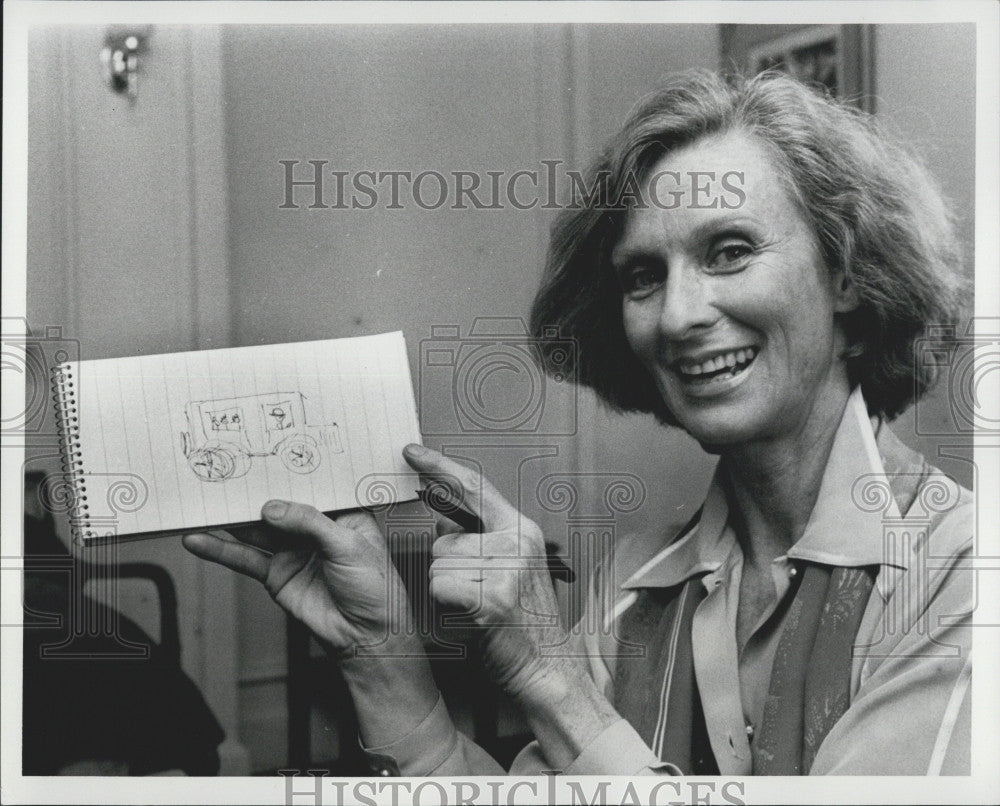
(333, 575)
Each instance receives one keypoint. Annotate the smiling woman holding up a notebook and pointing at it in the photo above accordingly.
(772, 315)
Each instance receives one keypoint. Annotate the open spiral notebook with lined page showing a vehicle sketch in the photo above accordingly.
(171, 443)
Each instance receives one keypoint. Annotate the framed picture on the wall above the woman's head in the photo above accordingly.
(838, 58)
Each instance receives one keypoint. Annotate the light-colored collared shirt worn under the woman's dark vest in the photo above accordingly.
(909, 711)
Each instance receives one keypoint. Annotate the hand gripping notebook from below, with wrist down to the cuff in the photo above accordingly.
(336, 577)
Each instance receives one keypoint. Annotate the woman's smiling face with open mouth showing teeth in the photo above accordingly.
(726, 299)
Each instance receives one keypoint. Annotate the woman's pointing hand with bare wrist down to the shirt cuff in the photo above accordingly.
(501, 579)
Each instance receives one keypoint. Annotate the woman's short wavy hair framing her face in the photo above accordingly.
(874, 209)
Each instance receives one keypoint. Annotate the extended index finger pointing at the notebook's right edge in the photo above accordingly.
(474, 493)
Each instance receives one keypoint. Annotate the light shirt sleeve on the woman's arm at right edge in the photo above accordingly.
(911, 713)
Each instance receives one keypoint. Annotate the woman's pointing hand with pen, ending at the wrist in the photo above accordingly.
(500, 578)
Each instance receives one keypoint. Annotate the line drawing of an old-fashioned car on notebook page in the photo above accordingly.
(224, 435)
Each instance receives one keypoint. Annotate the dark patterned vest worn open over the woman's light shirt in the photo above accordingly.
(810, 681)
